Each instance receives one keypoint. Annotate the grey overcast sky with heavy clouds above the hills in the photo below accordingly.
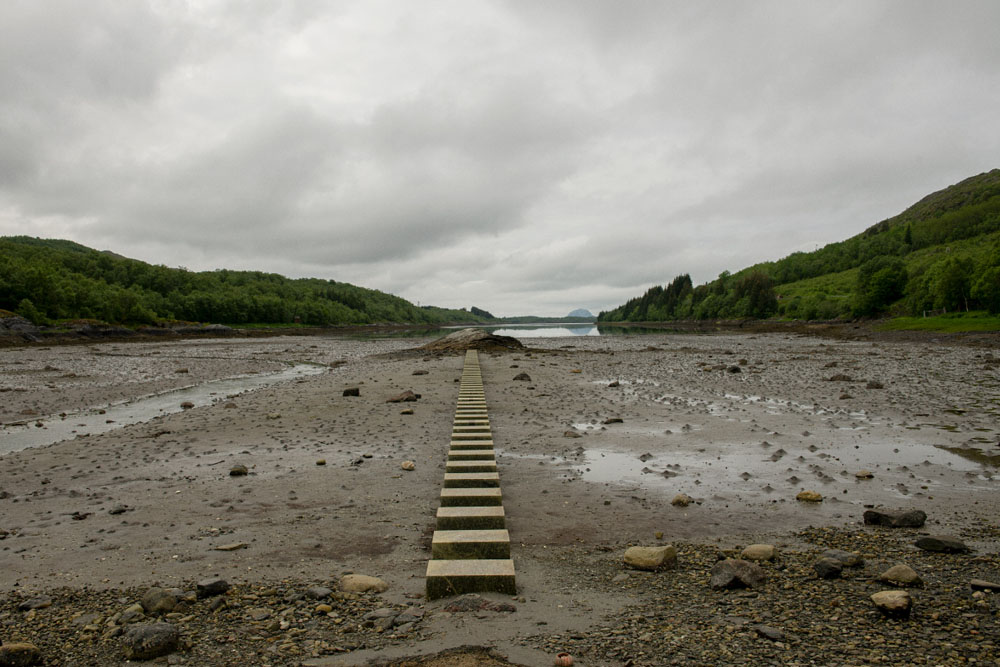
(524, 157)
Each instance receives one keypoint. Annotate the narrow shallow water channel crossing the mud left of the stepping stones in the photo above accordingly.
(51, 429)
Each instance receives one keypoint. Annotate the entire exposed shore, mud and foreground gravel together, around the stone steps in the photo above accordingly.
(593, 450)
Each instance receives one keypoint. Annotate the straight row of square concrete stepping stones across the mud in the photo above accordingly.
(470, 550)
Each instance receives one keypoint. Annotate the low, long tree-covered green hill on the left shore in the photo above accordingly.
(49, 280)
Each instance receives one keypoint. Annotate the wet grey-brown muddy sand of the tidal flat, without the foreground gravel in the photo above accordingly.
(740, 423)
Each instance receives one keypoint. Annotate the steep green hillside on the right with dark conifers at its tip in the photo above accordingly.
(942, 254)
